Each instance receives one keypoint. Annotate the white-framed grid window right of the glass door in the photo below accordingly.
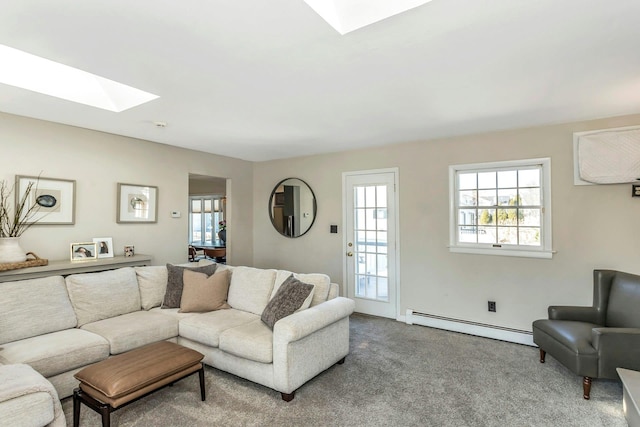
(501, 208)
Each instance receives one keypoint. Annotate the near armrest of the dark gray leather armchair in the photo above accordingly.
(617, 348)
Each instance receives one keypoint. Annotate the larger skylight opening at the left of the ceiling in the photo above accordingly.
(31, 72)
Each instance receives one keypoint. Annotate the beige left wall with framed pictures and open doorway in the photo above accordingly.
(98, 161)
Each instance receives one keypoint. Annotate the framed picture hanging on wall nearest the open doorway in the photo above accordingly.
(137, 204)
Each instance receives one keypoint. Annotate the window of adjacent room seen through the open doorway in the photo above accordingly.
(205, 212)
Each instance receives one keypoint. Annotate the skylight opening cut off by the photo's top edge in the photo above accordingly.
(349, 15)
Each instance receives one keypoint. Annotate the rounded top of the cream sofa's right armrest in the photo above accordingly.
(303, 323)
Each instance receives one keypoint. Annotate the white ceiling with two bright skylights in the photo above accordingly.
(261, 80)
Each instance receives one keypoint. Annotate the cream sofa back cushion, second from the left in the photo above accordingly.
(97, 296)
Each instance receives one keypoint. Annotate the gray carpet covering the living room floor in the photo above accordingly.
(395, 375)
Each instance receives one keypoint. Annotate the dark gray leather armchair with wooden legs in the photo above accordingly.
(594, 341)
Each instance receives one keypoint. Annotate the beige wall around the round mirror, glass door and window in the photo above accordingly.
(593, 226)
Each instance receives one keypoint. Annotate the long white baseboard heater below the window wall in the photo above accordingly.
(472, 328)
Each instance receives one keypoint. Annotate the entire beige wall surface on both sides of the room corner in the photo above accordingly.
(593, 226)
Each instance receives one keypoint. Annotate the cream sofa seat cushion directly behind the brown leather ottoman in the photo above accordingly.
(133, 330)
